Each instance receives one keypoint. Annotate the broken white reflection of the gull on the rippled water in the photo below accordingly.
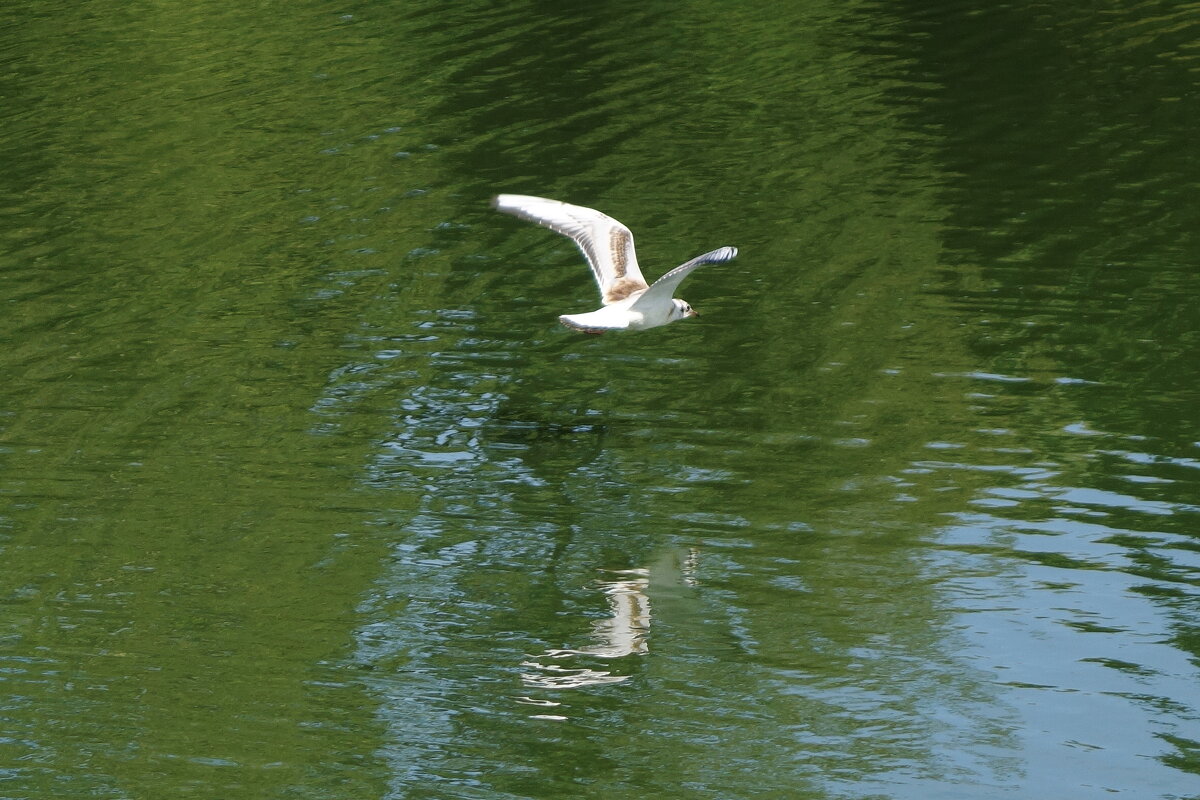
(623, 634)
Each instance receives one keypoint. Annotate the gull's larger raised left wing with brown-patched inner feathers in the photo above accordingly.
(607, 244)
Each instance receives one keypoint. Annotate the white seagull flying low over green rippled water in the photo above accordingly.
(631, 304)
